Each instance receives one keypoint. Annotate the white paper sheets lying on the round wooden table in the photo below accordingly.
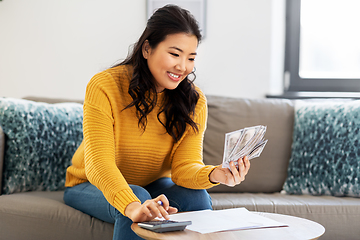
(208, 221)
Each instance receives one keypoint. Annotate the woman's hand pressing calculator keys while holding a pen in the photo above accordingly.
(150, 209)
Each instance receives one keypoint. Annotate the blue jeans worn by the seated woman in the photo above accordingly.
(90, 200)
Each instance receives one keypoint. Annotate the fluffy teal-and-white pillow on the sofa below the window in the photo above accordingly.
(325, 157)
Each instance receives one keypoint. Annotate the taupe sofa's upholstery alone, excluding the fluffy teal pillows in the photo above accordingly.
(43, 214)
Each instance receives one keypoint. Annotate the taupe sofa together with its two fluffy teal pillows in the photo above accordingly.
(310, 131)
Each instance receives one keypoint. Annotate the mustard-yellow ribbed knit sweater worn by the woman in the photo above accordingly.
(115, 152)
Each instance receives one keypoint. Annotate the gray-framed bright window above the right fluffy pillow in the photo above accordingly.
(322, 50)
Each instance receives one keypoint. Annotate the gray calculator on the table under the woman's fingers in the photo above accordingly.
(164, 225)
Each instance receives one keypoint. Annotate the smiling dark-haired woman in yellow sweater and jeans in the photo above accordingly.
(144, 122)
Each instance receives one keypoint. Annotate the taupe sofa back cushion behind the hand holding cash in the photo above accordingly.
(268, 172)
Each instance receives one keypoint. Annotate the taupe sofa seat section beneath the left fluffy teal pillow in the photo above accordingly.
(43, 215)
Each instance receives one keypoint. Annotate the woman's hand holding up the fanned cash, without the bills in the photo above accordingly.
(233, 176)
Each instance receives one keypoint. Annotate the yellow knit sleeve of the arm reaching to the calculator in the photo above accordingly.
(99, 146)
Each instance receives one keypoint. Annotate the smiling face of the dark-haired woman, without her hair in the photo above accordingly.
(172, 60)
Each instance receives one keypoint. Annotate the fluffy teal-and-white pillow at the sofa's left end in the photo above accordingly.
(40, 140)
